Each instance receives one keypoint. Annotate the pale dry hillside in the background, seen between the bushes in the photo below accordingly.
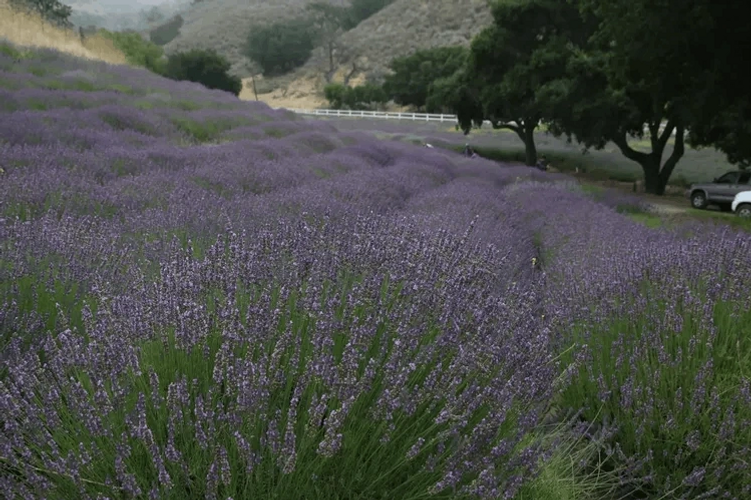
(400, 29)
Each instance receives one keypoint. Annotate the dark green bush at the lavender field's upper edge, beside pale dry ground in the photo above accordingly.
(205, 67)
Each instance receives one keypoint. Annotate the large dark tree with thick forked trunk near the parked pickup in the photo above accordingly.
(642, 69)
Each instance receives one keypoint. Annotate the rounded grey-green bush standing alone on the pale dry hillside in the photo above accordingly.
(281, 46)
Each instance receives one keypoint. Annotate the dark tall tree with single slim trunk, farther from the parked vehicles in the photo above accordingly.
(522, 51)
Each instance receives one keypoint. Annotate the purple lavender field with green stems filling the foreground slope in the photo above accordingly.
(206, 298)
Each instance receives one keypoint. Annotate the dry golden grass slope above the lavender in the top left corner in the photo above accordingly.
(27, 30)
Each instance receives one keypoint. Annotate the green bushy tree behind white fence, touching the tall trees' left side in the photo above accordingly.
(412, 76)
